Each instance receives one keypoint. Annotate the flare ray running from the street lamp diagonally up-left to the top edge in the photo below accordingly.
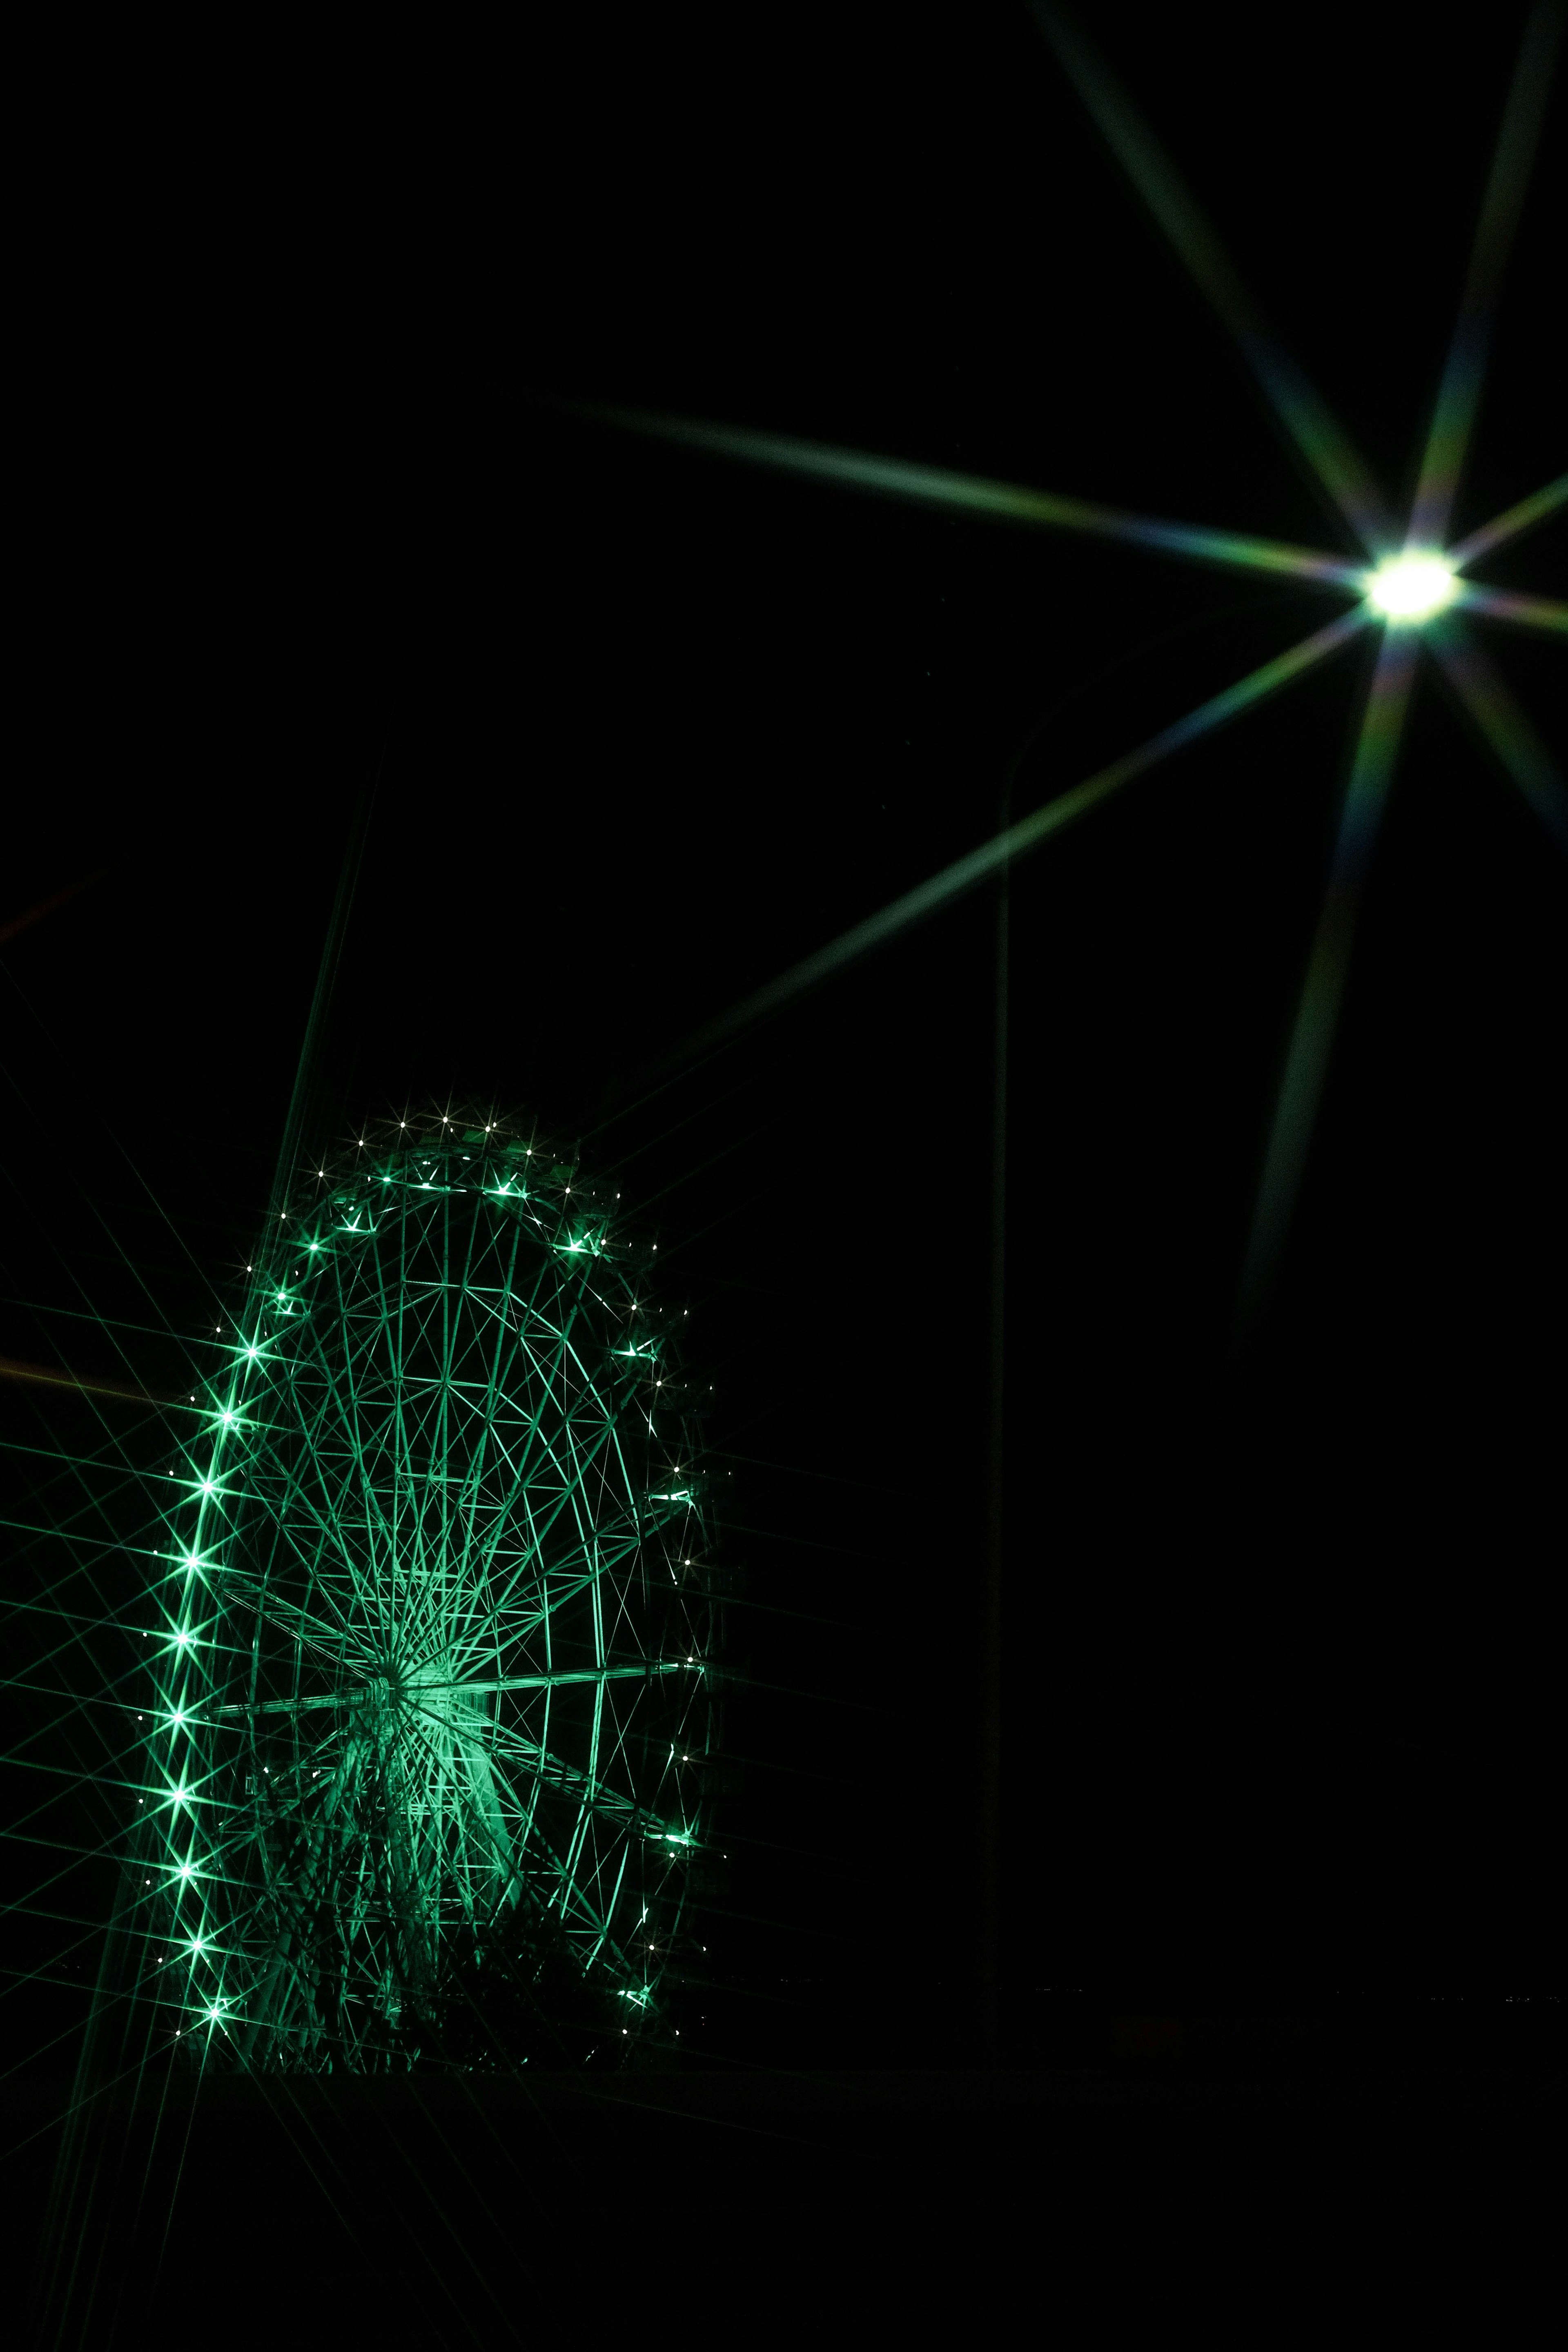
(1294, 401)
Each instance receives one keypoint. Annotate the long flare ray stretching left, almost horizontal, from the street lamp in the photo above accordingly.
(977, 495)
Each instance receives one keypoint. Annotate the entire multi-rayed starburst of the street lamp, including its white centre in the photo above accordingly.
(1395, 589)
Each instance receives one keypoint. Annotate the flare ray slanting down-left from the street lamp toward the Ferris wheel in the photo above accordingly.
(991, 857)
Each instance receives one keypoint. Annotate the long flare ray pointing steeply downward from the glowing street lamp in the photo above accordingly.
(1329, 961)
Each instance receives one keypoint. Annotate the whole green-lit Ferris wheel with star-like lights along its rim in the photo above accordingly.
(434, 1655)
